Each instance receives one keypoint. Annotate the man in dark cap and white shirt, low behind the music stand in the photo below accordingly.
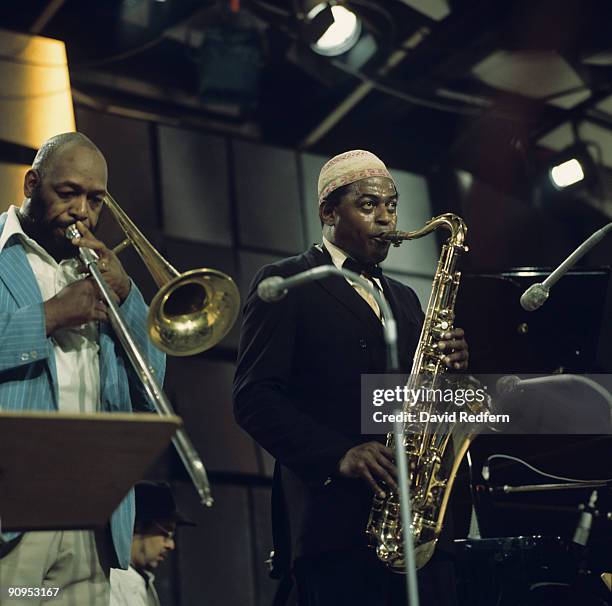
(156, 520)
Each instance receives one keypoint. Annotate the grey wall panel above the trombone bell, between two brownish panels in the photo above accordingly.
(195, 186)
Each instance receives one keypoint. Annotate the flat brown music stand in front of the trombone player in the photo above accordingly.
(70, 471)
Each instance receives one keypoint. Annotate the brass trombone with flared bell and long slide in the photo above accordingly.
(190, 313)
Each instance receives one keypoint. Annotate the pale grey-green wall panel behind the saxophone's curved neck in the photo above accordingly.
(414, 209)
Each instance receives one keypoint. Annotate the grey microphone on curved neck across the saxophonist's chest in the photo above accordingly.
(274, 288)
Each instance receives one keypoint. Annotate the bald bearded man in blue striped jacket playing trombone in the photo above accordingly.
(58, 351)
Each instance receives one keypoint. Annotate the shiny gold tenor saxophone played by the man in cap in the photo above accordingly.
(433, 455)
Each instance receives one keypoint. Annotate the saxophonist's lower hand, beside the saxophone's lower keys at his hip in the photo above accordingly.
(372, 462)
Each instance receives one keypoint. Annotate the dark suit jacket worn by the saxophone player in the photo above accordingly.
(297, 392)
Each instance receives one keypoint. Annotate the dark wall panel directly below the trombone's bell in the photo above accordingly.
(201, 390)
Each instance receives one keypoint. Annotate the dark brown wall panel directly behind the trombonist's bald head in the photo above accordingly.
(127, 146)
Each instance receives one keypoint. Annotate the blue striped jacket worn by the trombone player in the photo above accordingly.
(28, 377)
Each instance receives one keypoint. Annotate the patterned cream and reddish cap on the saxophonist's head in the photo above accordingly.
(347, 168)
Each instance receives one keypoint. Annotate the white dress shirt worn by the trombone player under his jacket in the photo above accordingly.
(76, 349)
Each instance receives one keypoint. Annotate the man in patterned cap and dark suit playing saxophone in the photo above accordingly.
(297, 392)
